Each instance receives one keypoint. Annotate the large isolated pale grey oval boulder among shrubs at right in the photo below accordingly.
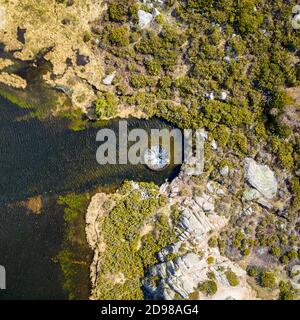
(261, 177)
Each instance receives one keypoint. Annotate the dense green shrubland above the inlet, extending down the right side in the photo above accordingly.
(223, 66)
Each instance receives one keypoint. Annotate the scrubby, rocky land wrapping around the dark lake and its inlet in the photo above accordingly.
(241, 217)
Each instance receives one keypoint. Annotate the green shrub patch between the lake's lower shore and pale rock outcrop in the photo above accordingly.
(129, 250)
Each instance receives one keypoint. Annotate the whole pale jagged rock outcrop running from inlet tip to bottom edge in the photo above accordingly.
(199, 218)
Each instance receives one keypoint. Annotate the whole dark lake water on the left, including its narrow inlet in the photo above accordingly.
(46, 158)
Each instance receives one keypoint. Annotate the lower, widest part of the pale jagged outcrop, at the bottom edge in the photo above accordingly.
(181, 277)
